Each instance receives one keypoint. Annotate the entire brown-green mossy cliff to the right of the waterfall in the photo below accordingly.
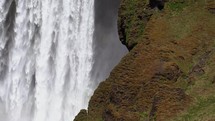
(169, 73)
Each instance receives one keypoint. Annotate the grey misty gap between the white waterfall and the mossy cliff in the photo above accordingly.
(108, 50)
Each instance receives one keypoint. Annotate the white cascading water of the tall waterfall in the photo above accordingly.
(46, 56)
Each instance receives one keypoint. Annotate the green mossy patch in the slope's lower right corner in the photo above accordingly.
(202, 91)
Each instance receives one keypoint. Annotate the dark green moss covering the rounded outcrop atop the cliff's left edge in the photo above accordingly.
(134, 14)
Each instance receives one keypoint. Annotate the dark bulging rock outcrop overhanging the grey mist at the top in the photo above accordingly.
(135, 18)
